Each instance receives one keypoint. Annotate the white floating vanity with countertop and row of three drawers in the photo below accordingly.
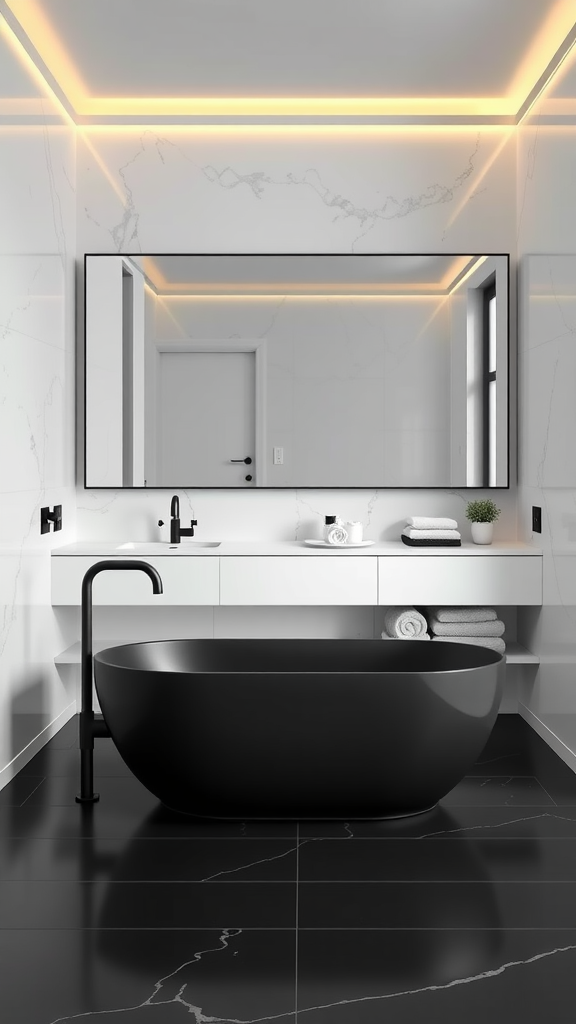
(290, 574)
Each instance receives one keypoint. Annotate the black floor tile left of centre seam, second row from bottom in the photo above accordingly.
(141, 905)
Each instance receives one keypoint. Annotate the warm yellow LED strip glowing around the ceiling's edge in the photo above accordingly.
(531, 79)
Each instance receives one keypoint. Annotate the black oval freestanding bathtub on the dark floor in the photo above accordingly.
(300, 729)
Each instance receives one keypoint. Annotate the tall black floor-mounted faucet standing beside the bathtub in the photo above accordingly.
(91, 727)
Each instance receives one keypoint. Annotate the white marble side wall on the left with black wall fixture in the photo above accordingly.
(37, 361)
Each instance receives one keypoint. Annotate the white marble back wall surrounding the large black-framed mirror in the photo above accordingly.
(300, 191)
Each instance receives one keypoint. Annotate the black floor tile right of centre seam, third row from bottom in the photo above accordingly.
(437, 861)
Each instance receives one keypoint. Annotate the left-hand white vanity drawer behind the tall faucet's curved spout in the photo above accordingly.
(194, 581)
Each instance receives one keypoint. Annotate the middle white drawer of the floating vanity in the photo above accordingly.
(326, 580)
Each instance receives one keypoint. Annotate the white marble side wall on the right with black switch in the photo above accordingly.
(547, 233)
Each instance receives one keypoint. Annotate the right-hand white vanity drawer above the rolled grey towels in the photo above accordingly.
(461, 580)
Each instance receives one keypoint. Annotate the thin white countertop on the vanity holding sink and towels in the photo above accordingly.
(138, 549)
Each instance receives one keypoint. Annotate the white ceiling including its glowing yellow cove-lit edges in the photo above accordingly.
(485, 55)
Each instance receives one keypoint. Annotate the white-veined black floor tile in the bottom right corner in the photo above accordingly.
(437, 977)
